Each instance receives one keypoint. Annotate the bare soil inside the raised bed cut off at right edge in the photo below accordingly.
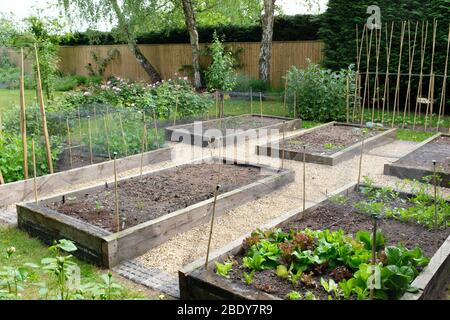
(438, 149)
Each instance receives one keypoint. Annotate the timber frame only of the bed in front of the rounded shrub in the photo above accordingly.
(275, 149)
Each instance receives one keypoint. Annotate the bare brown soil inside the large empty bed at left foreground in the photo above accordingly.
(156, 195)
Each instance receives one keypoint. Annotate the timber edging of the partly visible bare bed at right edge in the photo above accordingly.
(410, 172)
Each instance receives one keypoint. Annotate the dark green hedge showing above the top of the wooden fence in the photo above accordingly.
(286, 28)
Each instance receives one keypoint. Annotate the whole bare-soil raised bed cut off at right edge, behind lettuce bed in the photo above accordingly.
(419, 162)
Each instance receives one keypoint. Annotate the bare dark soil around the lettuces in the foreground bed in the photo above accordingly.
(342, 216)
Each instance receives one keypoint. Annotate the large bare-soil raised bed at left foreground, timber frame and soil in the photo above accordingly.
(153, 209)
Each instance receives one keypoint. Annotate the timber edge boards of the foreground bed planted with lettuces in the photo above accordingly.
(196, 284)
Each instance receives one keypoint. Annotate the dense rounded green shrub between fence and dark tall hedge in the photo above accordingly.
(320, 93)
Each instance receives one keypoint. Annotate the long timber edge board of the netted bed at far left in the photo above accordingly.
(21, 191)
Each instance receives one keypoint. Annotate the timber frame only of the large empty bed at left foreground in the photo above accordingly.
(107, 248)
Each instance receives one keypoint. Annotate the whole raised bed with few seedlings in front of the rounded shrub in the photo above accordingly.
(328, 144)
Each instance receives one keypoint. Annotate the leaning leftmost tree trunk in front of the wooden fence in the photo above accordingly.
(143, 61)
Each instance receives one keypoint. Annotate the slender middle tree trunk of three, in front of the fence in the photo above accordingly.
(191, 25)
